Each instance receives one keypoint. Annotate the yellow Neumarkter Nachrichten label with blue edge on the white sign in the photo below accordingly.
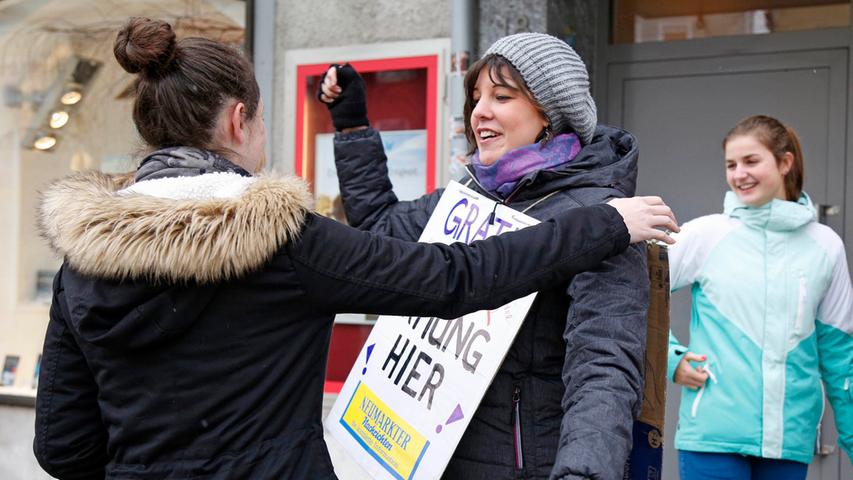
(388, 438)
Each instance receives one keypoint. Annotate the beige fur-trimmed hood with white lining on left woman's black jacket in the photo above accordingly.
(201, 229)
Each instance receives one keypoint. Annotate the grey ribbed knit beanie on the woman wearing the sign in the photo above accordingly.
(556, 76)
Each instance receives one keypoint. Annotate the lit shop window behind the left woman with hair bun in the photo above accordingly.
(65, 105)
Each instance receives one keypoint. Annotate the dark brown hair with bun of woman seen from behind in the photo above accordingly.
(182, 85)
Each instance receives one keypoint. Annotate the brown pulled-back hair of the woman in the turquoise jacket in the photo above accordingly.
(779, 139)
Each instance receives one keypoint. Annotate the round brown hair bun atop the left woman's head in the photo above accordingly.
(145, 45)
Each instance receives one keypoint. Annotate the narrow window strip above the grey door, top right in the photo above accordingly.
(637, 21)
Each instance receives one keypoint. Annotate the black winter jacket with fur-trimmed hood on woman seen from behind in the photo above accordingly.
(190, 322)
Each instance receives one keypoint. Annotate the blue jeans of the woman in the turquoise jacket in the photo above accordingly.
(734, 466)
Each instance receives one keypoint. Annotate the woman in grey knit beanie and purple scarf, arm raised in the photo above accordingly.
(563, 402)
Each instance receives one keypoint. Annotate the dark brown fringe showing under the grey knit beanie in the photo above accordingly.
(495, 65)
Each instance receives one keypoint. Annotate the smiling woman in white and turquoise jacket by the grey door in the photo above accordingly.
(771, 332)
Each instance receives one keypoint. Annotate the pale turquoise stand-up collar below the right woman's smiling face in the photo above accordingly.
(776, 215)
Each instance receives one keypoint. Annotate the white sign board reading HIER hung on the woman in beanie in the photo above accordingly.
(418, 380)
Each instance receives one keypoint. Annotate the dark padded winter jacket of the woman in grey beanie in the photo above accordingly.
(573, 376)
